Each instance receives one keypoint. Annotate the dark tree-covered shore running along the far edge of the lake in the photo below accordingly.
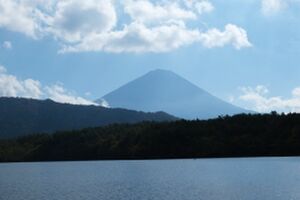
(240, 135)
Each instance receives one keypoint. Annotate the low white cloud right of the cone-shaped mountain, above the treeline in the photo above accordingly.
(260, 101)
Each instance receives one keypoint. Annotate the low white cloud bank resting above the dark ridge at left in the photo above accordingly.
(11, 86)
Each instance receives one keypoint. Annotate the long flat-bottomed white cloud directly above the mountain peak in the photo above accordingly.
(138, 38)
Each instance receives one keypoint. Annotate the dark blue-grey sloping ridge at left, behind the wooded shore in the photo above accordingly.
(20, 116)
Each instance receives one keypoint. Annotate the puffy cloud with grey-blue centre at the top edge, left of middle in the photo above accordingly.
(74, 20)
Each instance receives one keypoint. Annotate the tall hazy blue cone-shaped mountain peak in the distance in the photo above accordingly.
(162, 90)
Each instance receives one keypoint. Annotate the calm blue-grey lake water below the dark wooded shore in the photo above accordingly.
(208, 179)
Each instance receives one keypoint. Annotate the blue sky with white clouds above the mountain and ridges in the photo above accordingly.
(245, 52)
